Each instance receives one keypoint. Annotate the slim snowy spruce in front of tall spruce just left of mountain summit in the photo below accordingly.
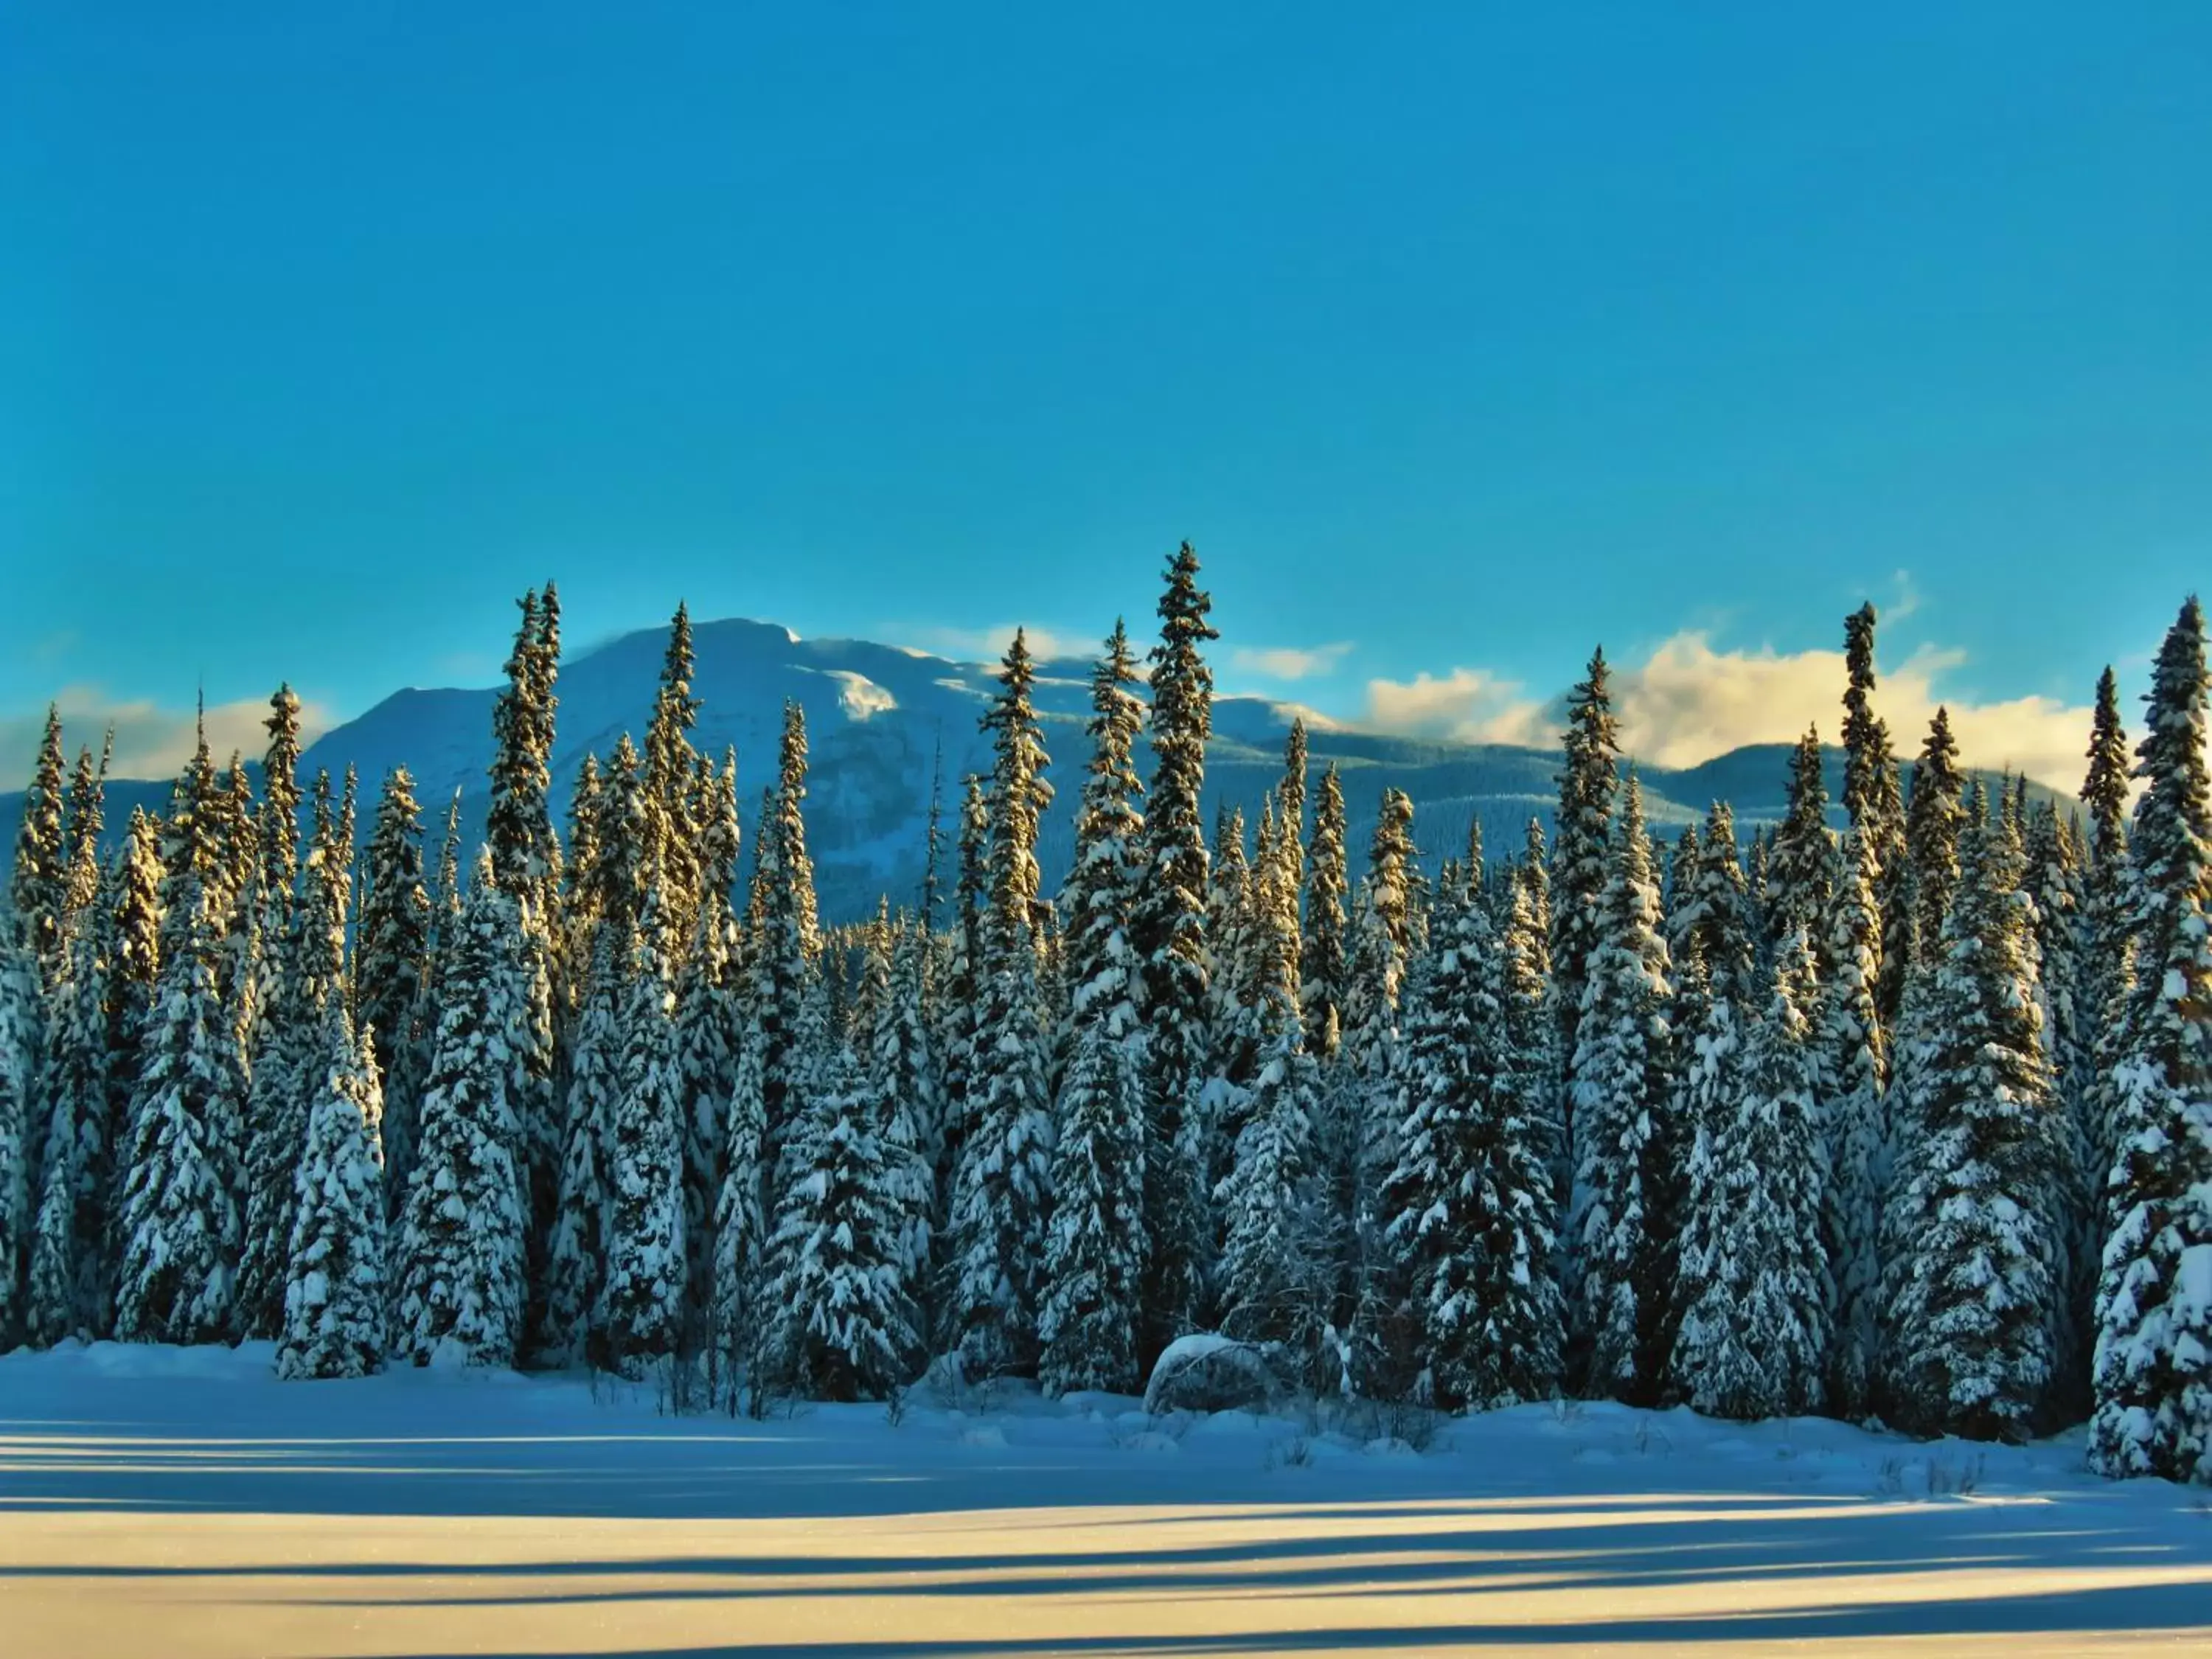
(643, 1300)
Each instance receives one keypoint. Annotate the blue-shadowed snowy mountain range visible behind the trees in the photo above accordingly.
(881, 720)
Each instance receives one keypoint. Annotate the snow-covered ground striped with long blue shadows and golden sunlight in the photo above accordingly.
(187, 1503)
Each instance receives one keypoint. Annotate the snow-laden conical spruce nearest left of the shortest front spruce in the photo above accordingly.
(180, 1215)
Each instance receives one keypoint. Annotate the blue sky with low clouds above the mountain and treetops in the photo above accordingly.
(1457, 337)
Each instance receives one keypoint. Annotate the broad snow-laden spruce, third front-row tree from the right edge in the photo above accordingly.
(1753, 1339)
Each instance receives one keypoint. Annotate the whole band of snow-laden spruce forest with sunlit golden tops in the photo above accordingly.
(1906, 1123)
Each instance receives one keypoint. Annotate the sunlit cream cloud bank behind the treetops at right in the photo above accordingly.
(1689, 702)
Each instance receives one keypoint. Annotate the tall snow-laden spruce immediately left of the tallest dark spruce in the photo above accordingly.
(1096, 1251)
